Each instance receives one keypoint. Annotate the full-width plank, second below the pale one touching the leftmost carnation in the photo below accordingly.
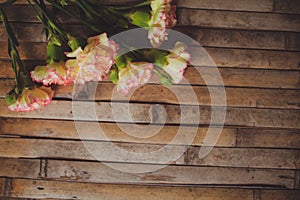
(222, 157)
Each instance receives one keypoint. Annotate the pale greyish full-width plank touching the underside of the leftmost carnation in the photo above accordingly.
(139, 113)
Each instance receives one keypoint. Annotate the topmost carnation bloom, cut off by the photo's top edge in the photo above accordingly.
(163, 17)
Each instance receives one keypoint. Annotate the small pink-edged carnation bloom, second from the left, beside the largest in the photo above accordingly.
(53, 73)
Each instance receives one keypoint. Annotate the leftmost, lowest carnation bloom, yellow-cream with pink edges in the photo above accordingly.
(32, 99)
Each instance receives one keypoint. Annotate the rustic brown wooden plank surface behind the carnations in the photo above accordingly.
(256, 45)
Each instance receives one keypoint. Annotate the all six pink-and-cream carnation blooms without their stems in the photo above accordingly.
(95, 60)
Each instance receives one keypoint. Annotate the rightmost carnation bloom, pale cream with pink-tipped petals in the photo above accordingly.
(177, 62)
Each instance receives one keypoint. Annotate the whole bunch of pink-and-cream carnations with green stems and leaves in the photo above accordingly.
(78, 59)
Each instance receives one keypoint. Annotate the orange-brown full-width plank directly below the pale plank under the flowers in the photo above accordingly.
(262, 138)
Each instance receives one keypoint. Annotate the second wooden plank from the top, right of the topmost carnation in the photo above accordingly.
(239, 20)
